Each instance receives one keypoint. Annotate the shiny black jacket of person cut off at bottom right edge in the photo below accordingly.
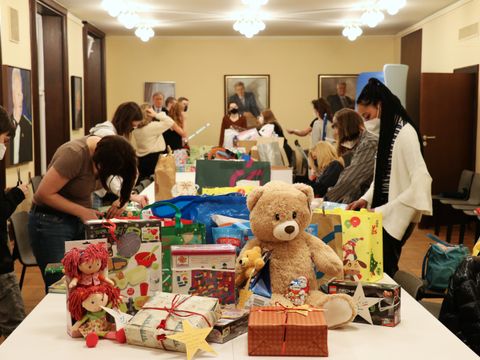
(460, 311)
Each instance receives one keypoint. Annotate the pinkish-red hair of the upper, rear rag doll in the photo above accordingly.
(75, 257)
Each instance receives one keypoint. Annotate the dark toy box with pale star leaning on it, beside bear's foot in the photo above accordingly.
(377, 304)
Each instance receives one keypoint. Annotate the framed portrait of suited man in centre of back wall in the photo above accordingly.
(250, 92)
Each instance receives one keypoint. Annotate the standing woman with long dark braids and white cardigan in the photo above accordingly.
(401, 189)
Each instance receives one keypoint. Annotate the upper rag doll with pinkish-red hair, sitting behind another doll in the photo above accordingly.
(86, 267)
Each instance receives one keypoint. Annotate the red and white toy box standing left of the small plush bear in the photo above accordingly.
(204, 270)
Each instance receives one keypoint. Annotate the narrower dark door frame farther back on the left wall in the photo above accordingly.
(90, 29)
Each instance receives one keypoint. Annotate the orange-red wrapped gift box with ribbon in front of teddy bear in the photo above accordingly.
(281, 331)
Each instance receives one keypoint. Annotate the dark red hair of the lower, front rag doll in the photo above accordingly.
(78, 295)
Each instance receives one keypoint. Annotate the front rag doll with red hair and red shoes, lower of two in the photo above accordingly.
(85, 306)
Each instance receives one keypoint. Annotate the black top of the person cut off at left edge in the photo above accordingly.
(8, 203)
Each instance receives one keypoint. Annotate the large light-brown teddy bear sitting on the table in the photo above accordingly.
(279, 215)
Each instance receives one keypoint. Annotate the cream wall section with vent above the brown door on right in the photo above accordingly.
(442, 51)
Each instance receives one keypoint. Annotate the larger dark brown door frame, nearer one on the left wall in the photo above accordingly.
(62, 12)
